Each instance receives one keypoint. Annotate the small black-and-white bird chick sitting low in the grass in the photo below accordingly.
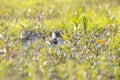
(55, 39)
